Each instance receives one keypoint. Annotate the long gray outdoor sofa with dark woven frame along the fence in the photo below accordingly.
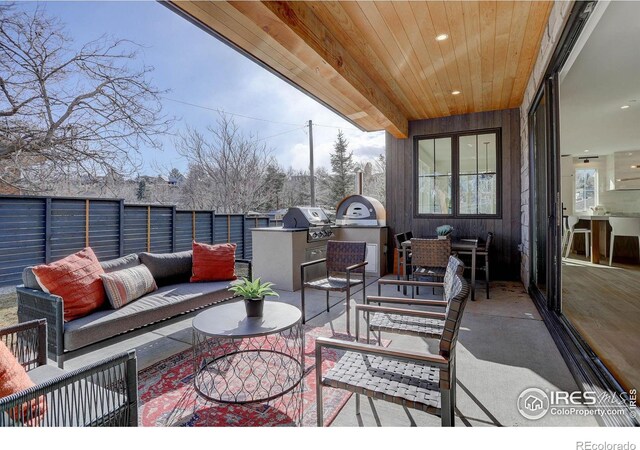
(175, 296)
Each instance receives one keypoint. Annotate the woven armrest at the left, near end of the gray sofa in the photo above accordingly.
(34, 305)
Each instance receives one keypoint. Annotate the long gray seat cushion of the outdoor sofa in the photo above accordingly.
(166, 302)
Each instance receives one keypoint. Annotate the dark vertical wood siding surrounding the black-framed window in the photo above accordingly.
(505, 262)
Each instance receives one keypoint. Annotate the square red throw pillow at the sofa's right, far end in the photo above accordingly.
(213, 262)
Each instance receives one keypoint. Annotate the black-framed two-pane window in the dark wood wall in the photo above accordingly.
(458, 174)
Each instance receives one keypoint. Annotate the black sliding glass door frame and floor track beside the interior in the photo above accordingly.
(584, 364)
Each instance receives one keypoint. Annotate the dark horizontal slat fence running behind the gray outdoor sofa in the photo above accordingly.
(37, 230)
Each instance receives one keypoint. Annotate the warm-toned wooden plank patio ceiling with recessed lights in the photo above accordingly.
(379, 63)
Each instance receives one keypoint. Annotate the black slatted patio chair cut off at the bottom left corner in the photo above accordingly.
(104, 394)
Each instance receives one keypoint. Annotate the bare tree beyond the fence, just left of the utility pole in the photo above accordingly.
(231, 166)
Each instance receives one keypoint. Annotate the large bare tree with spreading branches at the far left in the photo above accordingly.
(63, 111)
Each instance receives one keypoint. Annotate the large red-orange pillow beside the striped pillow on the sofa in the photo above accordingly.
(76, 279)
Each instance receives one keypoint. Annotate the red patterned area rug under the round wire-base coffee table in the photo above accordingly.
(168, 398)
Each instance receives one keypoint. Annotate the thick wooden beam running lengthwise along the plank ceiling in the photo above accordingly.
(279, 19)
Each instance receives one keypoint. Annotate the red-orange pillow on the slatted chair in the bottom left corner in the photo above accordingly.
(13, 379)
